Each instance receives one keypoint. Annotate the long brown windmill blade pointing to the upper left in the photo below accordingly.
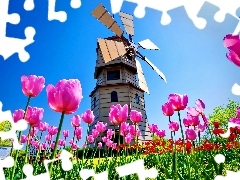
(101, 13)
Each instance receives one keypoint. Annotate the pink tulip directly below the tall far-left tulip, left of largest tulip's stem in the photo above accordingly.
(34, 116)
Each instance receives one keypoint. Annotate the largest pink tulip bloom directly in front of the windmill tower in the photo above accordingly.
(119, 113)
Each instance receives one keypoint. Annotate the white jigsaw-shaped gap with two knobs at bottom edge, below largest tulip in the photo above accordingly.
(65, 163)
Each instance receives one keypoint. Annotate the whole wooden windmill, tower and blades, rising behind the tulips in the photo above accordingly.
(120, 78)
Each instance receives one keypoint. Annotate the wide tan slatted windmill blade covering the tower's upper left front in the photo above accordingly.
(111, 49)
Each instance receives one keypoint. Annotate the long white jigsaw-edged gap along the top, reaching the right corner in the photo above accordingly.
(192, 9)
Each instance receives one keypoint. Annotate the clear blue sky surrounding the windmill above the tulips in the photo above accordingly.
(193, 60)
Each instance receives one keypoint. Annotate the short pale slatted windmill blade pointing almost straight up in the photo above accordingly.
(127, 21)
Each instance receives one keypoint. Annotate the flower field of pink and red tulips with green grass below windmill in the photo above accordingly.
(189, 157)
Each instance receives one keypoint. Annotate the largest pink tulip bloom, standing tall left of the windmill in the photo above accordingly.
(65, 96)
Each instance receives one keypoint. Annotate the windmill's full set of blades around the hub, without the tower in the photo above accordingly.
(101, 14)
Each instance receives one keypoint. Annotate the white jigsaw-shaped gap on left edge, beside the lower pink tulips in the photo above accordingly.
(21, 125)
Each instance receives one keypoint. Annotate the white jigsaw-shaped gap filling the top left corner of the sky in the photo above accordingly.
(9, 45)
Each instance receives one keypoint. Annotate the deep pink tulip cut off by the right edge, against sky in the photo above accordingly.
(232, 42)
